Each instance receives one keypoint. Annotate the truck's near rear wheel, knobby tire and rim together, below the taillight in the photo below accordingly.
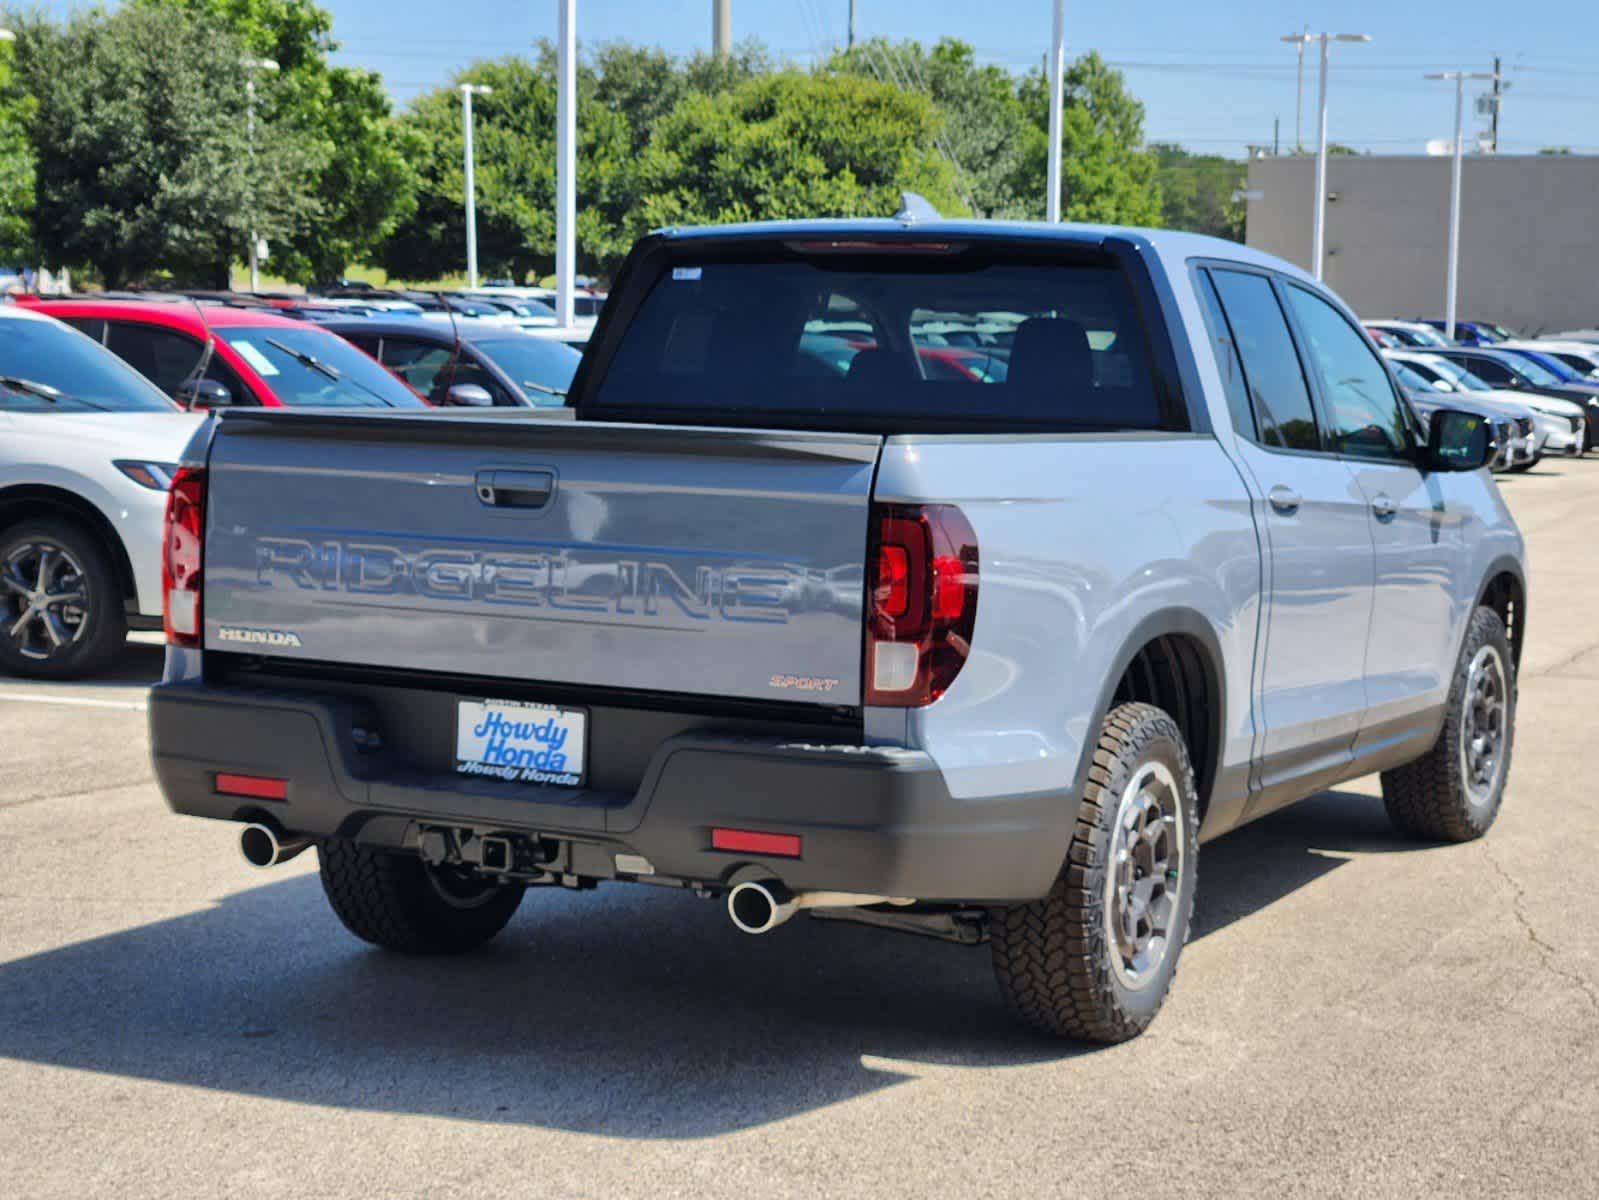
(1096, 958)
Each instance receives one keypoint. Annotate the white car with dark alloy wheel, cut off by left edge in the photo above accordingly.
(87, 450)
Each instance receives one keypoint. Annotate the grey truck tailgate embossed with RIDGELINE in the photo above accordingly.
(634, 558)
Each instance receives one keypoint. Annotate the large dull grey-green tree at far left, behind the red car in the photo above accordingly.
(140, 140)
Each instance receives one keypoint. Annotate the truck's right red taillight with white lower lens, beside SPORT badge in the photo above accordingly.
(922, 602)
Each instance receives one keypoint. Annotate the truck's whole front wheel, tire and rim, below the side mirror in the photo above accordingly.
(1454, 791)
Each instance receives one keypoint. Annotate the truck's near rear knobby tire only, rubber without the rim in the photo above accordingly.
(1055, 958)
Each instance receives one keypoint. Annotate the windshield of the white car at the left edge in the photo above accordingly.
(50, 369)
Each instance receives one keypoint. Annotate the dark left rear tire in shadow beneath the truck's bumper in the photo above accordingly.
(401, 903)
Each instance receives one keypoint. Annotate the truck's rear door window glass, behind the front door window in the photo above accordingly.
(1277, 383)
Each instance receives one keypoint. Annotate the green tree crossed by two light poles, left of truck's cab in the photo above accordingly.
(514, 143)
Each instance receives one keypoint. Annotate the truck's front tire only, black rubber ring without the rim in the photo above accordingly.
(1430, 798)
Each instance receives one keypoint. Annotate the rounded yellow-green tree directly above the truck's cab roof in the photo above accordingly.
(789, 146)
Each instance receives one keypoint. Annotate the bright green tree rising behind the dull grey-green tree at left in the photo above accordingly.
(357, 183)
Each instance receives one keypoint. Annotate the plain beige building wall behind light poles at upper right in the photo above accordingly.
(1529, 234)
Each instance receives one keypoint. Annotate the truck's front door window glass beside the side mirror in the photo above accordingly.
(1363, 412)
